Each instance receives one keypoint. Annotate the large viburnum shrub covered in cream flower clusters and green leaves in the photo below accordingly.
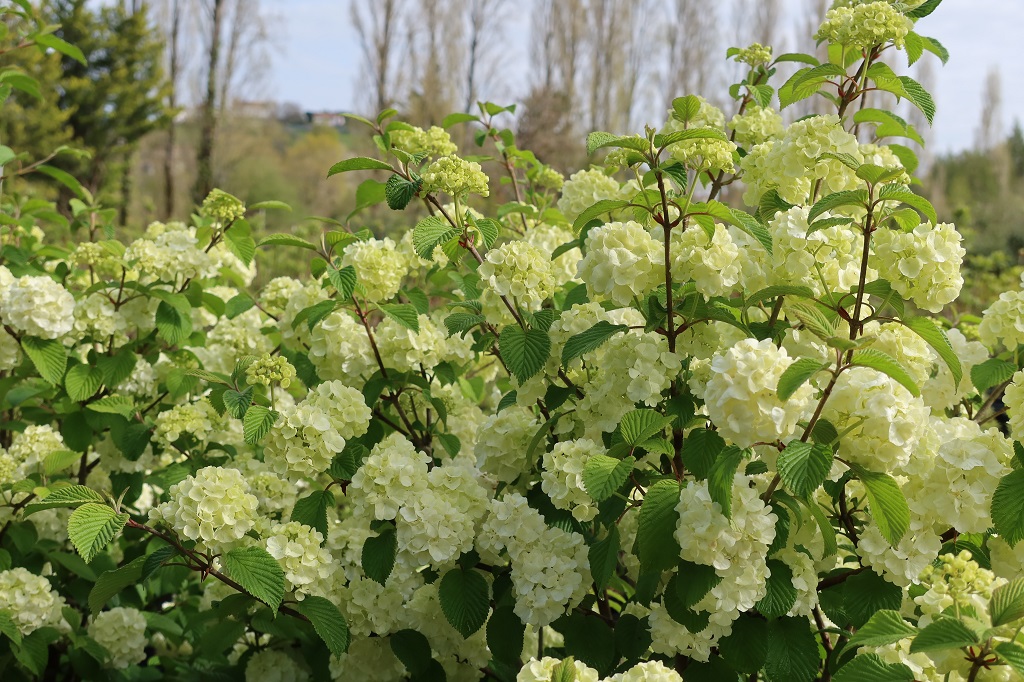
(617, 431)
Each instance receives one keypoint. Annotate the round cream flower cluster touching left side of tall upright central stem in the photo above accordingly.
(623, 261)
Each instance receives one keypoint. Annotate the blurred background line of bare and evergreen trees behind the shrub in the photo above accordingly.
(176, 101)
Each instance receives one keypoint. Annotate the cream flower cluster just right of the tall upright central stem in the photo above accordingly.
(713, 264)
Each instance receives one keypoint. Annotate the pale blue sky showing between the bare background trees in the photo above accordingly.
(317, 61)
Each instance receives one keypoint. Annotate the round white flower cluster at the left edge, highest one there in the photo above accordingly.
(37, 307)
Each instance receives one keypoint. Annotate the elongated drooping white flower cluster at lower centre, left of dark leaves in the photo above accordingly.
(550, 567)
